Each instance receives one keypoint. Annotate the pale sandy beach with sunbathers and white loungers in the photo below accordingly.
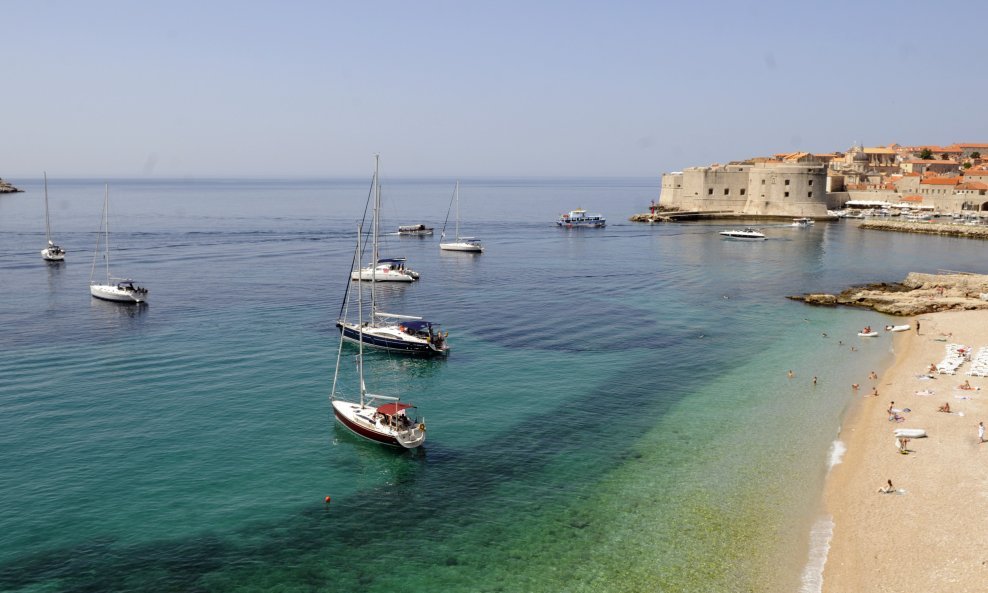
(931, 534)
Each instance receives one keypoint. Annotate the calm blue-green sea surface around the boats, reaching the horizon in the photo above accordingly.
(615, 414)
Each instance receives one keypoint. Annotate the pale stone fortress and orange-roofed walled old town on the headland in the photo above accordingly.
(951, 179)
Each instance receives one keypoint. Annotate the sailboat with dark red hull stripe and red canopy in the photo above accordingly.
(390, 423)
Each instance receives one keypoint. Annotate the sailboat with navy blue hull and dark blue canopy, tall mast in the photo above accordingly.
(390, 331)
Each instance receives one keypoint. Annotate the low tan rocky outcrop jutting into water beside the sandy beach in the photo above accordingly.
(917, 294)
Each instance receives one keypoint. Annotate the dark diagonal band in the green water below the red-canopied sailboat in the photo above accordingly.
(429, 495)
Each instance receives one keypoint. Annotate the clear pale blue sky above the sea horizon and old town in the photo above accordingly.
(216, 88)
